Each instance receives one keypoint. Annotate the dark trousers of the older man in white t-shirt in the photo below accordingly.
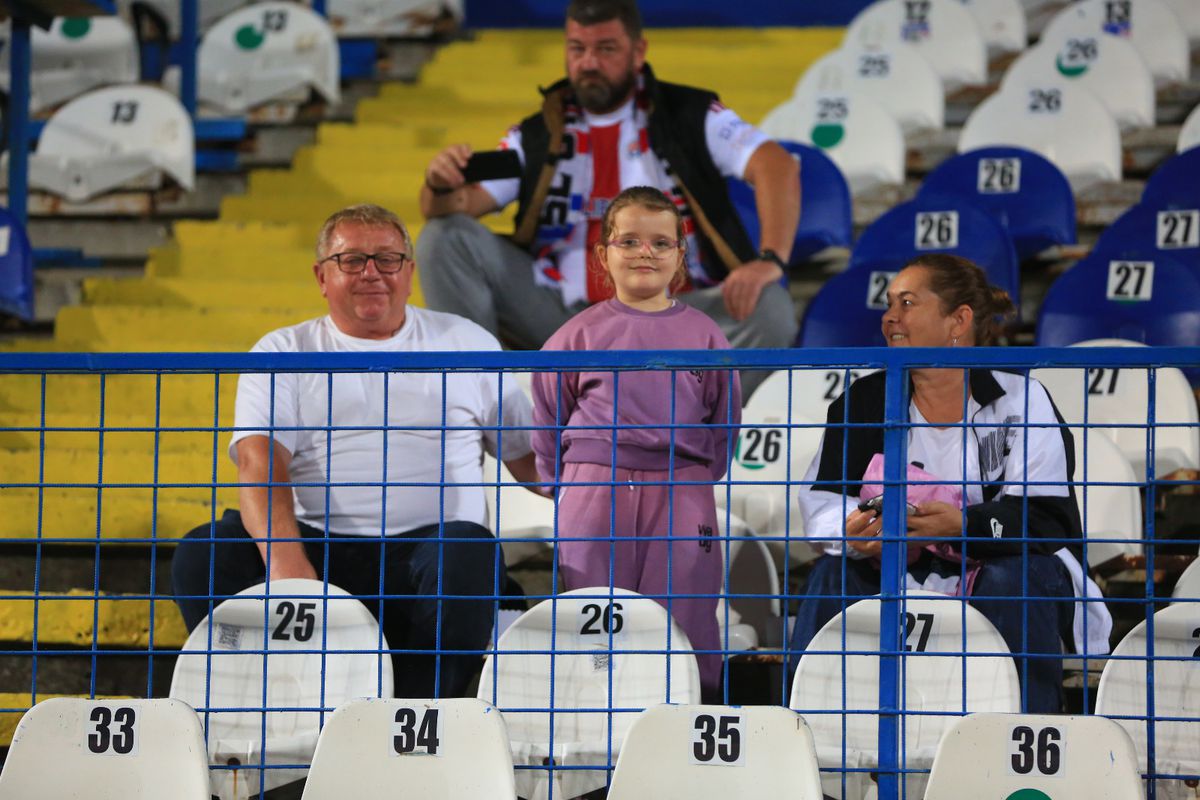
(410, 568)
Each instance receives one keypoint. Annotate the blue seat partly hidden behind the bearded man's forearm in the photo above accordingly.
(826, 218)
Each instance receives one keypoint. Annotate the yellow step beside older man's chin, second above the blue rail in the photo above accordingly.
(299, 294)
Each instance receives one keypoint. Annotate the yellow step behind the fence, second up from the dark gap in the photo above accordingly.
(125, 467)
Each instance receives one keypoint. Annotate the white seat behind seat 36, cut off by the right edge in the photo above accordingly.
(1124, 687)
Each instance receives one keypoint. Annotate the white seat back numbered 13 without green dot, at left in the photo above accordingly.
(131, 122)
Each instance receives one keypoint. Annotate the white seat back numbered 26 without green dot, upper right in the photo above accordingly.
(1048, 121)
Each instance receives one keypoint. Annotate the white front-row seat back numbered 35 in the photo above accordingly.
(717, 753)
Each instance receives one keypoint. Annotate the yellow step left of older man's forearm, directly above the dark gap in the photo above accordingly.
(124, 514)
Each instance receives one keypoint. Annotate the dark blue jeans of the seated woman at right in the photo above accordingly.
(1047, 623)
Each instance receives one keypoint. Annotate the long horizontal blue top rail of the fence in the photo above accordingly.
(621, 360)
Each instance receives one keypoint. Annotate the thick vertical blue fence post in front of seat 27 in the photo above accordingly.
(896, 440)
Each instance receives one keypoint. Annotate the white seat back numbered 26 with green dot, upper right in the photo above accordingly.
(1106, 65)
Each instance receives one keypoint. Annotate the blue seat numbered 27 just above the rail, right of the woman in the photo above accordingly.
(1149, 297)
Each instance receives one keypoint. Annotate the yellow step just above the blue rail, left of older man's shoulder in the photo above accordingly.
(142, 329)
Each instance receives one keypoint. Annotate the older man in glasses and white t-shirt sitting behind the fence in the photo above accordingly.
(357, 468)
